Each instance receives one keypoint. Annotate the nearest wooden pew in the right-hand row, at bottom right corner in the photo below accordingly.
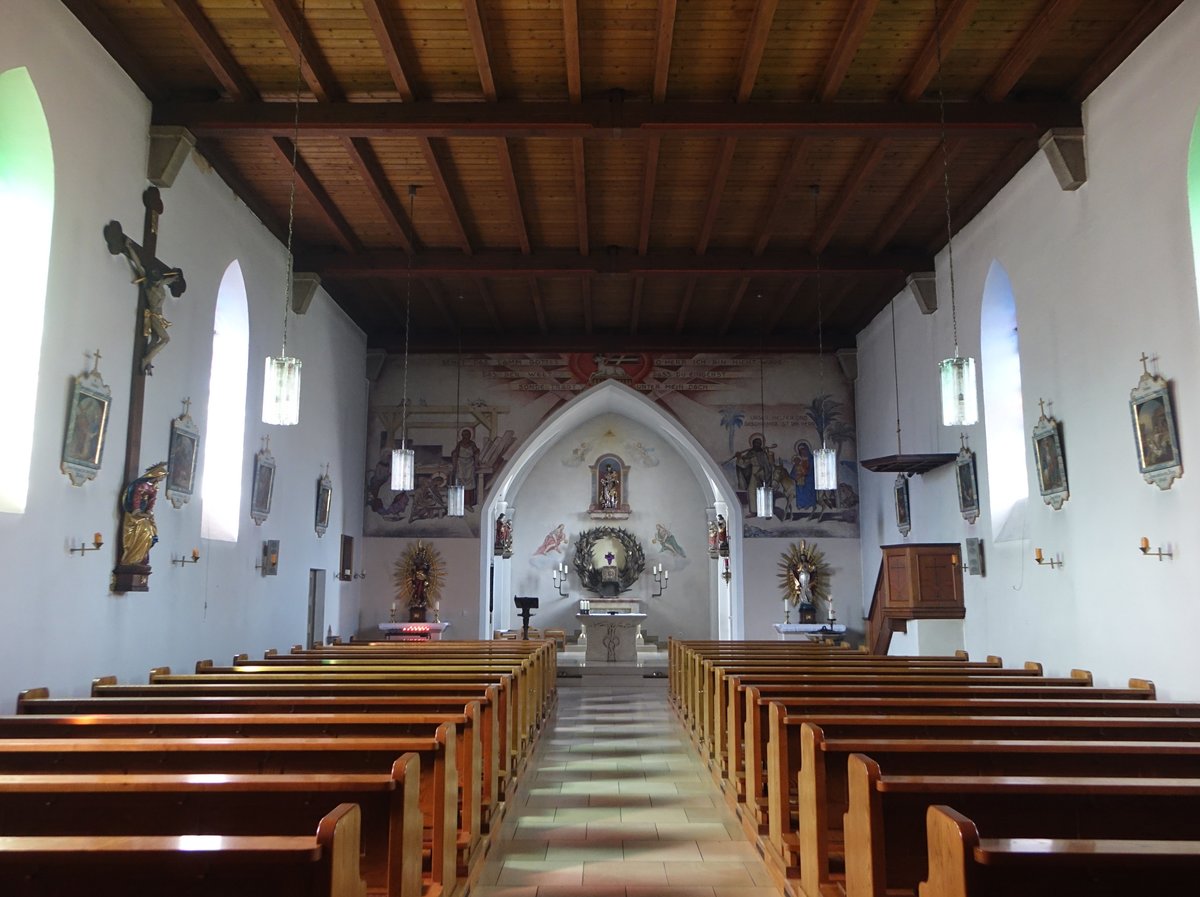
(962, 864)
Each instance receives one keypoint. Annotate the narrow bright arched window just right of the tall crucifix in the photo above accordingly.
(226, 419)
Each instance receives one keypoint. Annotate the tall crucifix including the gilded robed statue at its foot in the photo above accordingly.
(154, 278)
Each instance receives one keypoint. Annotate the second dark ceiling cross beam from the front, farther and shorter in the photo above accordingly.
(567, 263)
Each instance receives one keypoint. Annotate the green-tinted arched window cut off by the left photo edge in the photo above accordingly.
(27, 197)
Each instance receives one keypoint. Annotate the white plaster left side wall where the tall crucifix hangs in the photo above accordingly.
(63, 625)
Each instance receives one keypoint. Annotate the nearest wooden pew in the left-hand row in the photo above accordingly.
(326, 865)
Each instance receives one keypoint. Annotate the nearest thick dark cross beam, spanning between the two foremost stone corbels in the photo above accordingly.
(604, 121)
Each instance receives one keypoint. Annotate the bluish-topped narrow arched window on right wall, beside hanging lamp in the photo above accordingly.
(1009, 477)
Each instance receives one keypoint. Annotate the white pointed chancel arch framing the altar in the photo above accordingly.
(611, 398)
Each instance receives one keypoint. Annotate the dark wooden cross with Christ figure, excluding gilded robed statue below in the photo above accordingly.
(153, 278)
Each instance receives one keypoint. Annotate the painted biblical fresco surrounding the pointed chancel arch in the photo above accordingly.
(715, 396)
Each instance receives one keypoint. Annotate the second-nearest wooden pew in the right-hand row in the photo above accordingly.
(885, 830)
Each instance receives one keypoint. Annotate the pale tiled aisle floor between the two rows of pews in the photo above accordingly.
(616, 804)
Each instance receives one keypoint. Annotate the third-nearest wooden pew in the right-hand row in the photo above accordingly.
(824, 788)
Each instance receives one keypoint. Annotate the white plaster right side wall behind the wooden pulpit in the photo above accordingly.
(1100, 276)
